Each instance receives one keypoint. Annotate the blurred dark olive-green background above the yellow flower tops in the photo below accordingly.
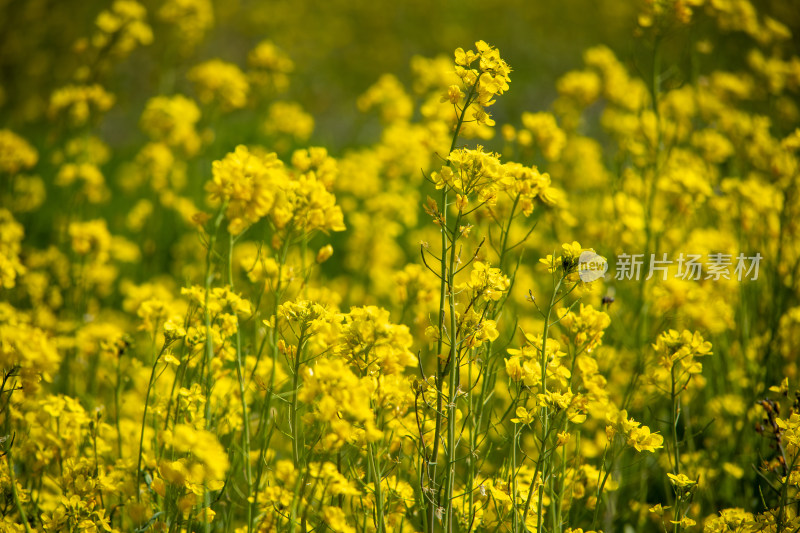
(339, 48)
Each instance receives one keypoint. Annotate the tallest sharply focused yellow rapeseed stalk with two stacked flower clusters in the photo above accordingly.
(483, 75)
